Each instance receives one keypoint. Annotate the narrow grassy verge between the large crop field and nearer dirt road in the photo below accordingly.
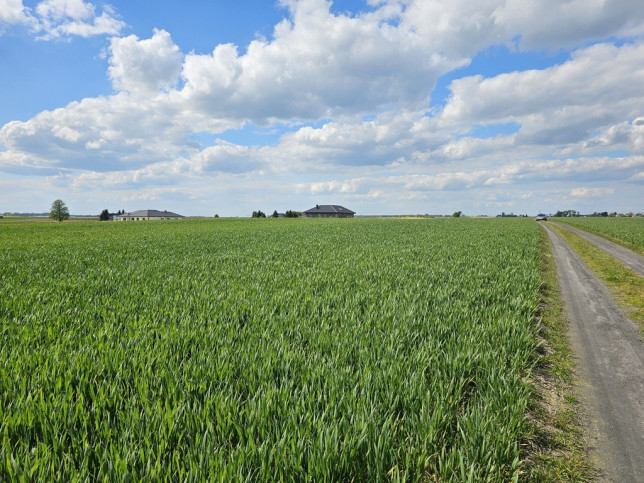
(557, 449)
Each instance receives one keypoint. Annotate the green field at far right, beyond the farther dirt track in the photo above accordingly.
(628, 230)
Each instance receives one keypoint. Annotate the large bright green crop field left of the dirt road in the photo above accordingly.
(264, 350)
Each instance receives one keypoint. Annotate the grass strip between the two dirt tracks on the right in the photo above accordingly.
(626, 285)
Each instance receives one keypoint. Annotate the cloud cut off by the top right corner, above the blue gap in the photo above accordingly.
(461, 27)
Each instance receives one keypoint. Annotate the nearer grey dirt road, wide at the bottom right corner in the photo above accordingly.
(611, 365)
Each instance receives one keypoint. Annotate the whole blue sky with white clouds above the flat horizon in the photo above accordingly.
(383, 106)
